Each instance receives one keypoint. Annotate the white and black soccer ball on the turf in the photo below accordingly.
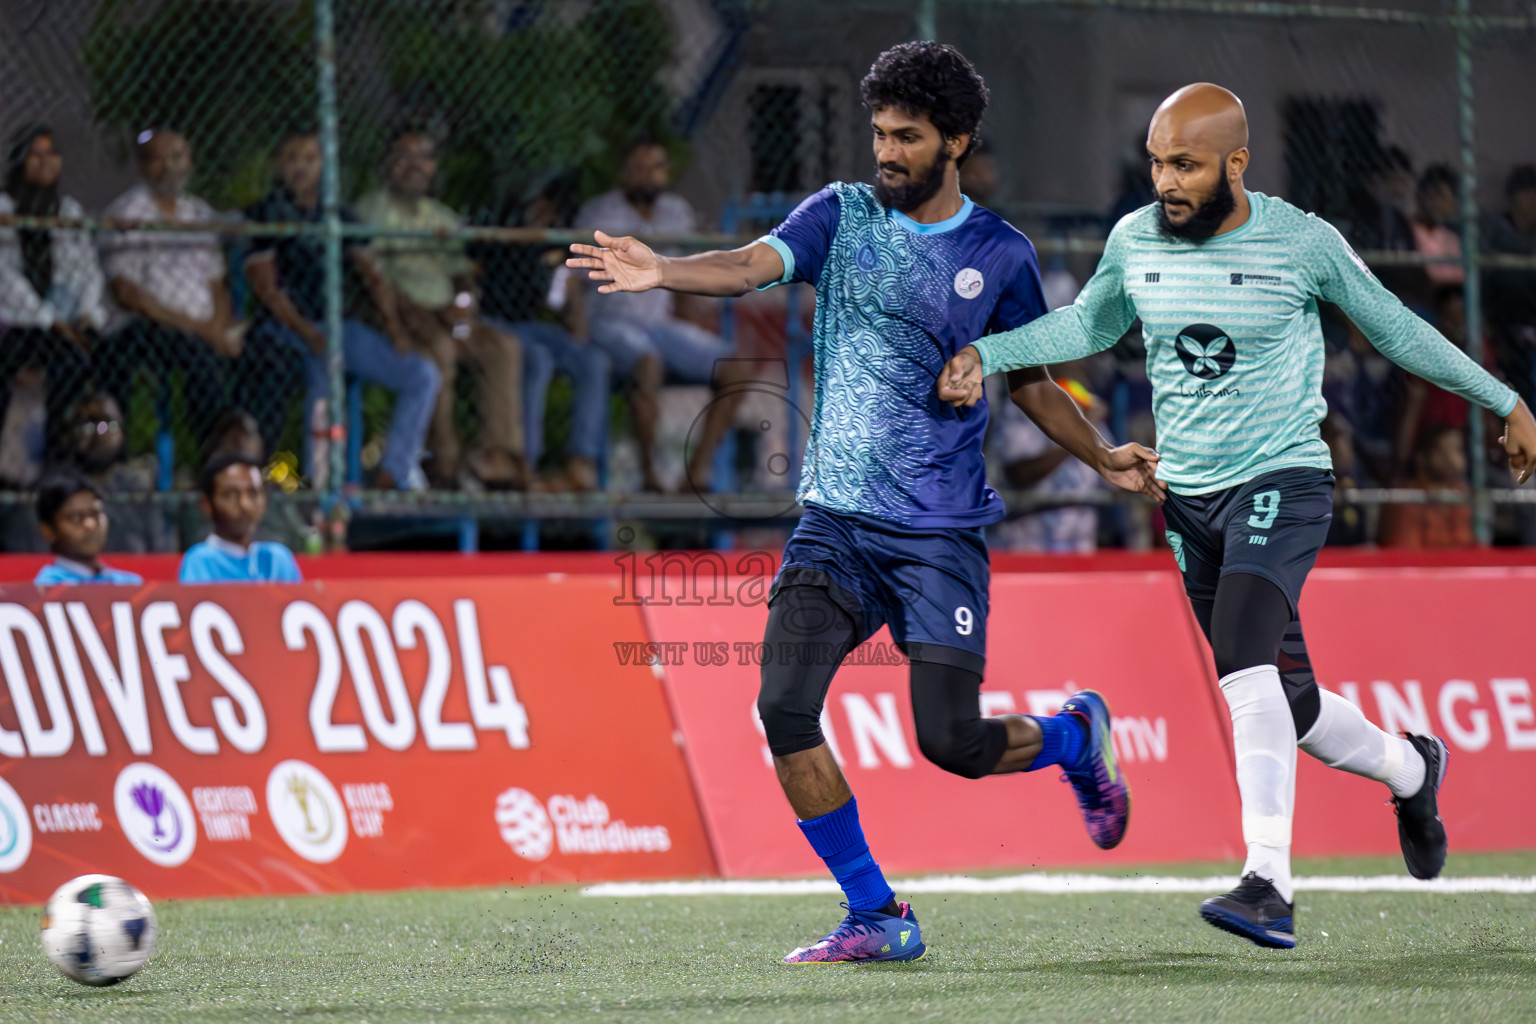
(99, 930)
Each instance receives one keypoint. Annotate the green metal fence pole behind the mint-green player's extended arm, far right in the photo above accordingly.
(1481, 510)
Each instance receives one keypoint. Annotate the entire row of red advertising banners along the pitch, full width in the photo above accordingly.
(374, 733)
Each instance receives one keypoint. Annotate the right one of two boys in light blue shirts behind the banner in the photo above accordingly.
(236, 500)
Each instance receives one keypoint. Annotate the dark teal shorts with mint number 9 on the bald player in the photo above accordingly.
(1273, 527)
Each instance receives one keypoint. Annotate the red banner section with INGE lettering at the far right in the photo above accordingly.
(1428, 650)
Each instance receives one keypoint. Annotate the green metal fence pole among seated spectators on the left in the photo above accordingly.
(331, 188)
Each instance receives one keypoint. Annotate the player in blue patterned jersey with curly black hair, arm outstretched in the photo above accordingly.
(907, 273)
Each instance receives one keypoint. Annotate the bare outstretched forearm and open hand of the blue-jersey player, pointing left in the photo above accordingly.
(627, 265)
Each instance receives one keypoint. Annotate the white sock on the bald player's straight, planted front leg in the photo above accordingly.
(1265, 741)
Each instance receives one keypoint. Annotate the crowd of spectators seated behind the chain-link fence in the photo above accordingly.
(227, 337)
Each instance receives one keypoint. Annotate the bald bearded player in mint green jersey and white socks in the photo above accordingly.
(1226, 285)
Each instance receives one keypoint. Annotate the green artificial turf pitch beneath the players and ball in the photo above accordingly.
(537, 954)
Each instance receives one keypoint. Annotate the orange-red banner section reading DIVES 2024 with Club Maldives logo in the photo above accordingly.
(366, 735)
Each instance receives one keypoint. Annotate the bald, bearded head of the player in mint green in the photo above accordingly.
(1199, 148)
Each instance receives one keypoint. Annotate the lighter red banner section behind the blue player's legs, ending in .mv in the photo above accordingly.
(1127, 635)
